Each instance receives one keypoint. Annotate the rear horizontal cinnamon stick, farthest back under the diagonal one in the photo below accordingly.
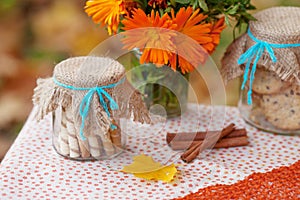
(185, 136)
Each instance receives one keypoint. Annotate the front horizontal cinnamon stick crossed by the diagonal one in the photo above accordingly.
(224, 143)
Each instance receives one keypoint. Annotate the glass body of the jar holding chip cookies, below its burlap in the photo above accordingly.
(275, 104)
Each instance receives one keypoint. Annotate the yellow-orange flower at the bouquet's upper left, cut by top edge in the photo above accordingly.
(106, 12)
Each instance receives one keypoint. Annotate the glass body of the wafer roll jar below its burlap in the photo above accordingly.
(66, 140)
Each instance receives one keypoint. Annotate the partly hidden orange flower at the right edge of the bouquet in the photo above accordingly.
(216, 30)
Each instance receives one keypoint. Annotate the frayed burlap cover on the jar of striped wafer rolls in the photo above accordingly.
(89, 72)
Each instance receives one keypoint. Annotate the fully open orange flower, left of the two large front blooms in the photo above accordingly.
(151, 34)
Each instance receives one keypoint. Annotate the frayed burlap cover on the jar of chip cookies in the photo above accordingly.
(279, 25)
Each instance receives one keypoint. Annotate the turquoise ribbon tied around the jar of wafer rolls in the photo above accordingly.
(86, 101)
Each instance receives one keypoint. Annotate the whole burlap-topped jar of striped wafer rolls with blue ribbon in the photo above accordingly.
(88, 95)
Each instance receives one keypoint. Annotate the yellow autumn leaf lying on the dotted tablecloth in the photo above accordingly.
(145, 167)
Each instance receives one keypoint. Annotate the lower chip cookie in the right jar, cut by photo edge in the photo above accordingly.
(283, 109)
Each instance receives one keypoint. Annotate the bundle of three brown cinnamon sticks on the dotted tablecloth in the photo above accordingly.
(194, 143)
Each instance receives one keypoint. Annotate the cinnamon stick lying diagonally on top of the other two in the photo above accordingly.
(194, 150)
